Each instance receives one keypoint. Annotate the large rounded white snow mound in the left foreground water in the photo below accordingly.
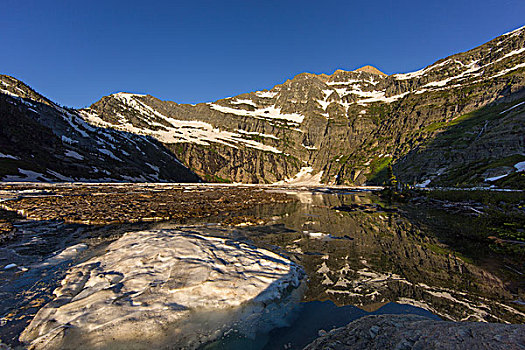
(158, 288)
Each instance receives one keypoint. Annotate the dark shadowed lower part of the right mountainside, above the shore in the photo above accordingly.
(484, 143)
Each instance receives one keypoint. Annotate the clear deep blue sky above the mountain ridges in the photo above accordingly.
(75, 52)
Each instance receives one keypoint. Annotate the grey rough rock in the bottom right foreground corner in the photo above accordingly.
(417, 332)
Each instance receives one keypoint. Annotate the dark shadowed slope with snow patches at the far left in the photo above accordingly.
(41, 141)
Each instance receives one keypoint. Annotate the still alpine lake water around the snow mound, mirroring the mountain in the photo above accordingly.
(361, 255)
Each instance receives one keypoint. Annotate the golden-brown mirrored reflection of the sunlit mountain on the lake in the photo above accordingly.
(369, 257)
